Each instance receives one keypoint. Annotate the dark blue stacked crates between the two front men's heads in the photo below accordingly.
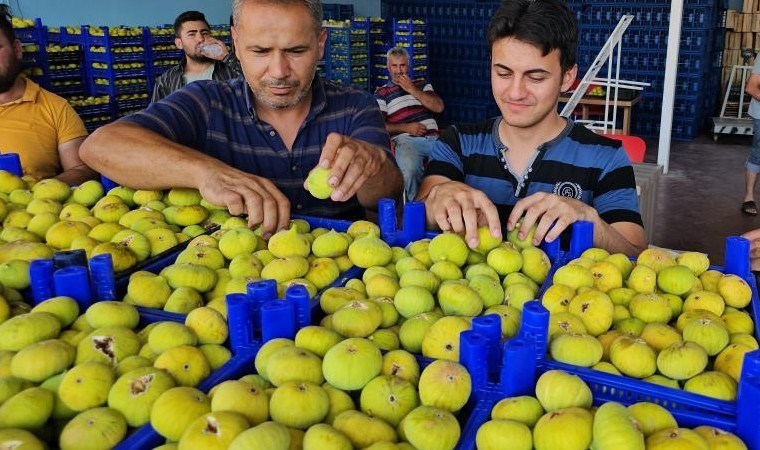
(458, 53)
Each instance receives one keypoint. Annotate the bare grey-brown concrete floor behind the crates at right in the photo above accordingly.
(699, 200)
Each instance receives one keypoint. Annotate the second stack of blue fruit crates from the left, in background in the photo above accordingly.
(65, 58)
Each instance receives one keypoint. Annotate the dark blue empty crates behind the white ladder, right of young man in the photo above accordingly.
(643, 55)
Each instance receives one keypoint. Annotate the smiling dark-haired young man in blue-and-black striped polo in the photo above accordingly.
(530, 163)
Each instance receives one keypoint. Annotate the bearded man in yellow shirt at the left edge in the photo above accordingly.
(40, 126)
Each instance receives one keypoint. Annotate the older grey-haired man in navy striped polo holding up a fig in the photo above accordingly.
(250, 143)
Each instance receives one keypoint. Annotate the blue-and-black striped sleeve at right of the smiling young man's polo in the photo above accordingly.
(615, 197)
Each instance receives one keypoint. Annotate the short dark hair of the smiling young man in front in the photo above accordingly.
(546, 24)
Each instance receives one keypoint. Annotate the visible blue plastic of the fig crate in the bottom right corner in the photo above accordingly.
(522, 366)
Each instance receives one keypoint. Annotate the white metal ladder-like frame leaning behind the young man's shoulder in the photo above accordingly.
(607, 55)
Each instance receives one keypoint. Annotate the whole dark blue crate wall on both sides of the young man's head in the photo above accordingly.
(459, 55)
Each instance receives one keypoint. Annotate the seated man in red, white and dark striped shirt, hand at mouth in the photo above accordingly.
(408, 106)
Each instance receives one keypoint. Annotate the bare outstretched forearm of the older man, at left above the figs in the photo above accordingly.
(138, 158)
